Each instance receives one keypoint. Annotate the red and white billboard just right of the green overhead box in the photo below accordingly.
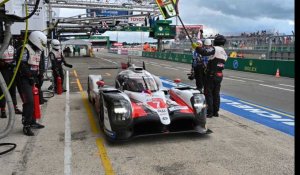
(193, 30)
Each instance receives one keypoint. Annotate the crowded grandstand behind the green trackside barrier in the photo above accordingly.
(260, 45)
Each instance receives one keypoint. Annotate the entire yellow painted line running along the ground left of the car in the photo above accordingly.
(99, 142)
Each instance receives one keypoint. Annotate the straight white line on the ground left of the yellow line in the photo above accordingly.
(68, 148)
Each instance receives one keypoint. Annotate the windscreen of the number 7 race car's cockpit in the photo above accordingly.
(140, 84)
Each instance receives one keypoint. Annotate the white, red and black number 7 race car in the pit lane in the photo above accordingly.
(139, 105)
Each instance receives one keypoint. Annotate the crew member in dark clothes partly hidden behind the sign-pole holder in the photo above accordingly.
(198, 67)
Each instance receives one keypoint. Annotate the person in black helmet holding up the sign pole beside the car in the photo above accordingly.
(214, 77)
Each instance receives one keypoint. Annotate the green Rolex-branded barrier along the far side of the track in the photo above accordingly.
(286, 67)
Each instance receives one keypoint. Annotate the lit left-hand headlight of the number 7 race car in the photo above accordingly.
(121, 111)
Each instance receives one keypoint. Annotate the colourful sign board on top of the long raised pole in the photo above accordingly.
(167, 8)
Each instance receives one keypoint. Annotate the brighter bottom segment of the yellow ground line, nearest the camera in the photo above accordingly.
(104, 157)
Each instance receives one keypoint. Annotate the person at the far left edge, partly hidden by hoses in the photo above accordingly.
(7, 65)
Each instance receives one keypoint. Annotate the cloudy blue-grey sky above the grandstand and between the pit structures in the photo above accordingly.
(228, 17)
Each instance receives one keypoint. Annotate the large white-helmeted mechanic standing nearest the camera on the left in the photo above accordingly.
(27, 76)
